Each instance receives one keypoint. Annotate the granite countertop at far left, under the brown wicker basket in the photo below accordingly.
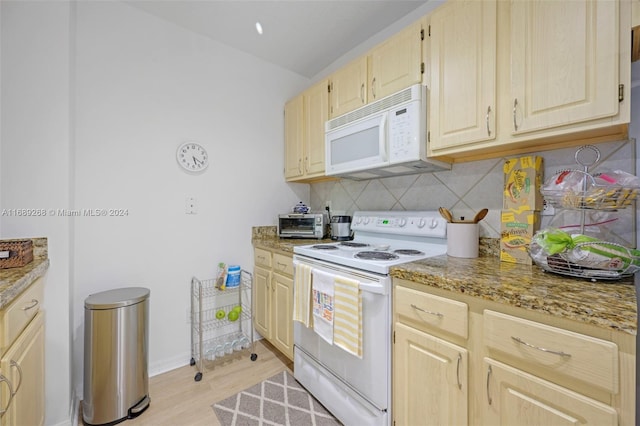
(14, 281)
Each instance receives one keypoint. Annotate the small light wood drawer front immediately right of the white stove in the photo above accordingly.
(426, 311)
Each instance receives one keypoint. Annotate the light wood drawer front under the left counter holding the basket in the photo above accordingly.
(15, 317)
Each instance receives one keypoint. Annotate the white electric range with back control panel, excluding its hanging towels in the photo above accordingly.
(358, 390)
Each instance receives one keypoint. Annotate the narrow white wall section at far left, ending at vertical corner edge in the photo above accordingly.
(36, 165)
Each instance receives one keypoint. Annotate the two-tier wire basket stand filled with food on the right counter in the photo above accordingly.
(591, 258)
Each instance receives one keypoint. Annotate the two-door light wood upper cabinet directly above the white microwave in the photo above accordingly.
(391, 66)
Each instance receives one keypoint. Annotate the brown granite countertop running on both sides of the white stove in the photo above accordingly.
(606, 304)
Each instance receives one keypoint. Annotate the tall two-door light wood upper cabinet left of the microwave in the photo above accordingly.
(305, 116)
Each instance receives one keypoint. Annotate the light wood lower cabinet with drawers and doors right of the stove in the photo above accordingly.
(462, 360)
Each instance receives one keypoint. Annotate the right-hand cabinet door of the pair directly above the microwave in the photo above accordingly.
(396, 63)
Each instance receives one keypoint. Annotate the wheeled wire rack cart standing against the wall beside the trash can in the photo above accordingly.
(221, 321)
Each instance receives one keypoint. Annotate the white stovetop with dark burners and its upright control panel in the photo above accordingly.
(383, 239)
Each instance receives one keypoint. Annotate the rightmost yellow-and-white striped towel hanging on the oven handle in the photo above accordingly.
(347, 326)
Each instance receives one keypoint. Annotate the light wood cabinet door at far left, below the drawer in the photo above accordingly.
(23, 366)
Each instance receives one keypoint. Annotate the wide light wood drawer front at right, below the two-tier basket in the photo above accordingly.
(551, 352)
